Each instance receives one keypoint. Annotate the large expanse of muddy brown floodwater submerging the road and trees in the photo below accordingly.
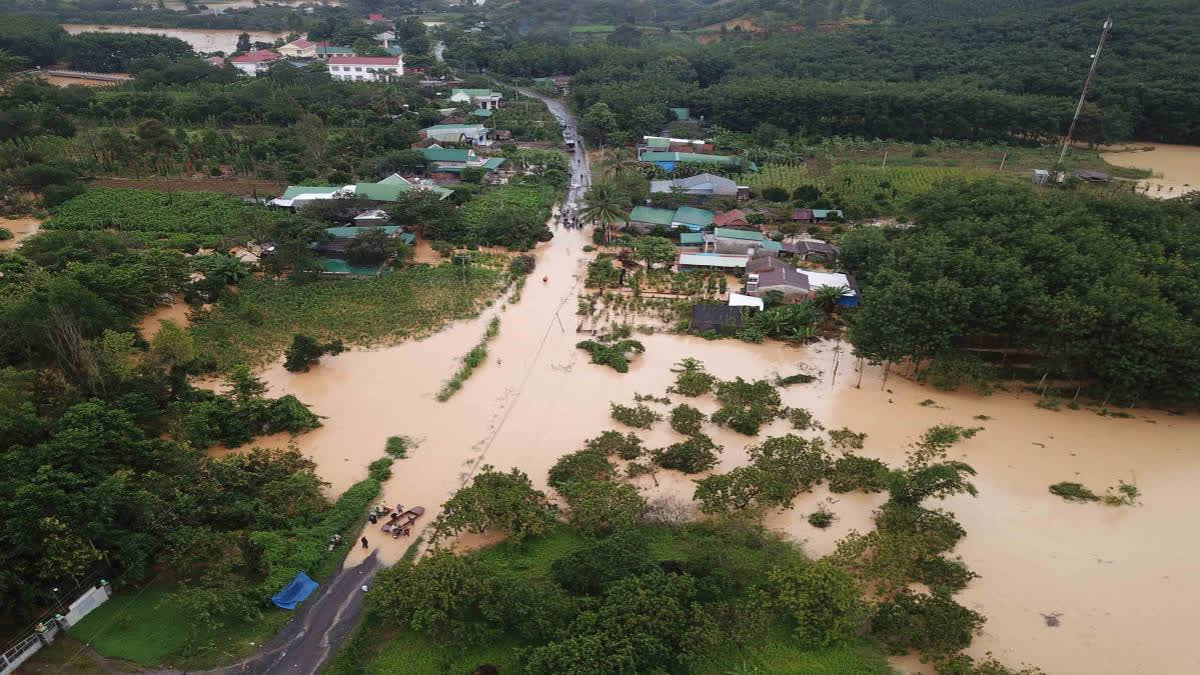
(1123, 580)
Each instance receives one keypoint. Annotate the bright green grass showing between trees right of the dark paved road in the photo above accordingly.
(377, 650)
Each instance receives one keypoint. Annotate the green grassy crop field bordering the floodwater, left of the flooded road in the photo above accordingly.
(407, 303)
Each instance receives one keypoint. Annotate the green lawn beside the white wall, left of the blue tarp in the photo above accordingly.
(146, 628)
